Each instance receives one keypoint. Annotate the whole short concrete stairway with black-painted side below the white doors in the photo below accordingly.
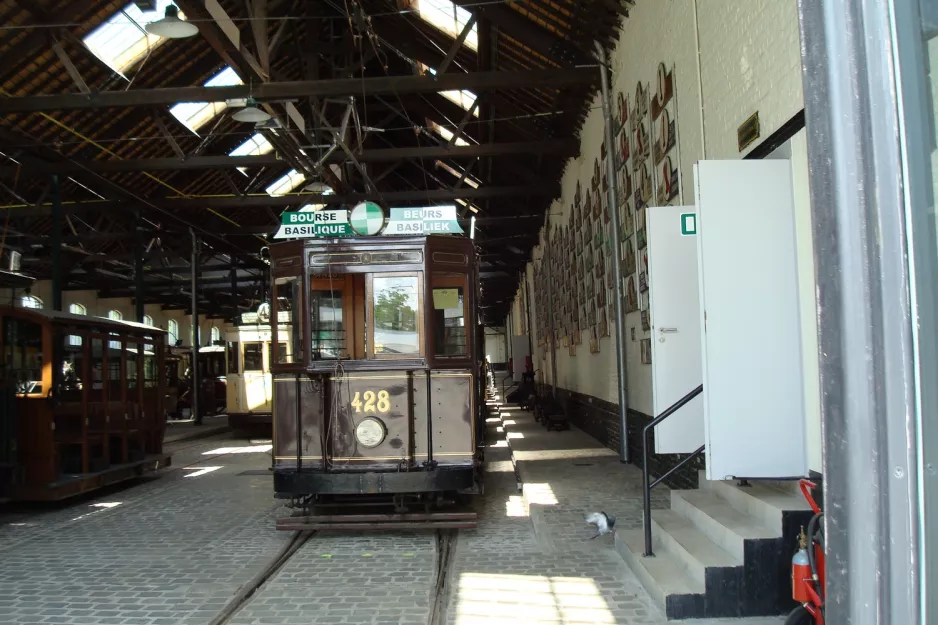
(723, 550)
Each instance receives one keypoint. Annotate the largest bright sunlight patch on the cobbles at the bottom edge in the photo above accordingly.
(490, 599)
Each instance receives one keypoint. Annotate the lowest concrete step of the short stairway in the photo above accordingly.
(663, 575)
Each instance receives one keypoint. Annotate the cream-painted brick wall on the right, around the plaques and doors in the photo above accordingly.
(749, 60)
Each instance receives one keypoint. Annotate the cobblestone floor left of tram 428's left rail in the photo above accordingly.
(168, 550)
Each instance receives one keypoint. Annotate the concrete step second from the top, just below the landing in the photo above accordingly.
(720, 522)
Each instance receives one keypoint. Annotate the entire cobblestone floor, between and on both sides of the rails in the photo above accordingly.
(173, 549)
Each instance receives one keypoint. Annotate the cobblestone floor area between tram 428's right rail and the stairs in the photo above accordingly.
(531, 560)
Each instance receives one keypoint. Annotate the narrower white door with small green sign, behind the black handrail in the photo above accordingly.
(675, 326)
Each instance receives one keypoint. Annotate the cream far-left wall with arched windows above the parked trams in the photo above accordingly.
(100, 307)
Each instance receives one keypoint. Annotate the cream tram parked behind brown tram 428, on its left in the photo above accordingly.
(252, 350)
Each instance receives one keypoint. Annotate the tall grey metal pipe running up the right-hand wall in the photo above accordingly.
(617, 251)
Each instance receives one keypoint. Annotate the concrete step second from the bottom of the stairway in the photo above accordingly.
(680, 538)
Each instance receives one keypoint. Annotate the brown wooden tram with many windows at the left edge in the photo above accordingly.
(86, 396)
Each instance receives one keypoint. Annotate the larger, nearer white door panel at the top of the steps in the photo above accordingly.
(753, 387)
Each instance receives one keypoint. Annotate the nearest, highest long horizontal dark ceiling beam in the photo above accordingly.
(382, 85)
